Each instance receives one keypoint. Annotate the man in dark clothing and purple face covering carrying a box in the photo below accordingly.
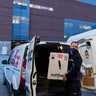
(72, 77)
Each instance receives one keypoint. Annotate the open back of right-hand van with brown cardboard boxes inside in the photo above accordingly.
(87, 52)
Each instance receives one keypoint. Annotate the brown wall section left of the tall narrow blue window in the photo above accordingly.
(6, 19)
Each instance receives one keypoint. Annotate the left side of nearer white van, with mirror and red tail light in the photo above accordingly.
(14, 71)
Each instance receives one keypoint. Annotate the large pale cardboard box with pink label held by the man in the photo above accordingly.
(58, 65)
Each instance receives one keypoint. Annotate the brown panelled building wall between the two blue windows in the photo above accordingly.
(50, 25)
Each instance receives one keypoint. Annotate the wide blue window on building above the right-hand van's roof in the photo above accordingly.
(73, 27)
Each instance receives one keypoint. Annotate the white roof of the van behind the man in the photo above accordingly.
(86, 35)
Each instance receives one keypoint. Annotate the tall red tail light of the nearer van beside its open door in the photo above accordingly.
(23, 72)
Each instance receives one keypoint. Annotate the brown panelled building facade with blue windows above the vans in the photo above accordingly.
(50, 19)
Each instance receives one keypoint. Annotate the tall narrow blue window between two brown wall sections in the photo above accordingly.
(21, 20)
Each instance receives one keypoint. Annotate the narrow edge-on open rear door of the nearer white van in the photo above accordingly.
(31, 74)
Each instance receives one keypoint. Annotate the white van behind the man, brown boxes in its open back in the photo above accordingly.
(87, 48)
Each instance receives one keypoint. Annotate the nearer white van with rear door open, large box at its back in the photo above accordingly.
(39, 66)
